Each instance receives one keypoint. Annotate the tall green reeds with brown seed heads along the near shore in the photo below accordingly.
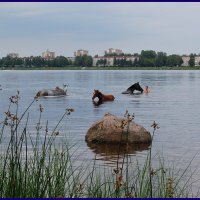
(36, 166)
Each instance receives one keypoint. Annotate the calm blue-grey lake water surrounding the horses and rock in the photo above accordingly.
(173, 102)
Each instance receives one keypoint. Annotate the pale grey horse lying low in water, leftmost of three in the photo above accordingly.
(52, 92)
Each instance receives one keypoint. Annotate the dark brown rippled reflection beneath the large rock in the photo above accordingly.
(111, 152)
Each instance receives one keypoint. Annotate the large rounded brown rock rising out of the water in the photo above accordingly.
(112, 129)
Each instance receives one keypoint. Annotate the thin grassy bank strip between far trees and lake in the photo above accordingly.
(102, 68)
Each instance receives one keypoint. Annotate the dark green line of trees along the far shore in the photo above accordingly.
(147, 58)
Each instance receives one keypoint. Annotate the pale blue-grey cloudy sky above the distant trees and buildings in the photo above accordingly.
(31, 28)
